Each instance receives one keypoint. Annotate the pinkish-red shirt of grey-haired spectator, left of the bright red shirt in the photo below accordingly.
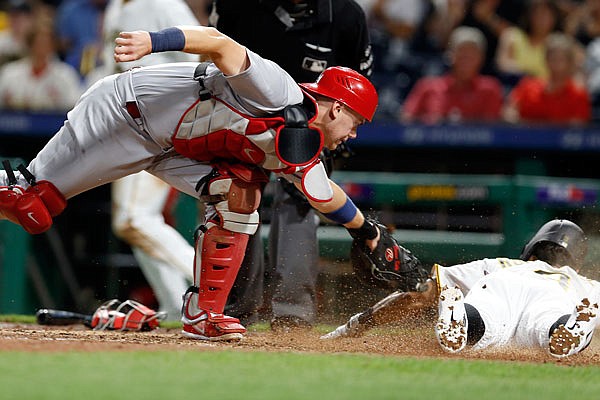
(443, 98)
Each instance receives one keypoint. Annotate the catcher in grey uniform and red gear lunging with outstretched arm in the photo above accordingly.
(209, 130)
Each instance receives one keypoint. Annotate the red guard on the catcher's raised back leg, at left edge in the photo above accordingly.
(33, 208)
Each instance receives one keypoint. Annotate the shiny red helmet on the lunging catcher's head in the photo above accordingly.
(347, 86)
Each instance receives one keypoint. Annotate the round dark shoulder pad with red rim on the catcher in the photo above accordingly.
(296, 144)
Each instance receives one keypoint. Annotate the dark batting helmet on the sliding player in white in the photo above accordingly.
(563, 233)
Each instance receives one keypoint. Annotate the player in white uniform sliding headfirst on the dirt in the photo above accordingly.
(538, 300)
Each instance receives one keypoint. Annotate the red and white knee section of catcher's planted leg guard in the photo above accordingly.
(235, 191)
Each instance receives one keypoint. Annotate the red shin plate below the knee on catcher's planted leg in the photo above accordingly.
(219, 255)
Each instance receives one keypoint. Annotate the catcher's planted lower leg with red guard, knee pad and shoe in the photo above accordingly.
(234, 192)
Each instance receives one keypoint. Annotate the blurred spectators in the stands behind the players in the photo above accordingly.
(436, 61)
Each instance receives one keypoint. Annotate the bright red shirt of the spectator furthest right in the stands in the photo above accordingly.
(565, 104)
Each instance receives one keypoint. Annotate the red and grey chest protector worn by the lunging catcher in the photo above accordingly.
(211, 129)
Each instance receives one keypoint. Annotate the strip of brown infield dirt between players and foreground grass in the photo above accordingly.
(418, 342)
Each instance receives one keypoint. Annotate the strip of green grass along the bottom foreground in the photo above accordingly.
(232, 374)
